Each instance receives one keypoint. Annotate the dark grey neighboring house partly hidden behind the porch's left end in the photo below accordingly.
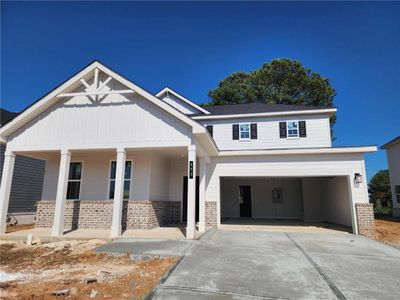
(27, 184)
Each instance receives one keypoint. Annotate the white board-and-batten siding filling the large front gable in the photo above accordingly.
(116, 120)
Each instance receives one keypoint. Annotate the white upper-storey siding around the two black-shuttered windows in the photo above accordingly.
(317, 127)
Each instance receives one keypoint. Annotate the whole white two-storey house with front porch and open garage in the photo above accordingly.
(120, 158)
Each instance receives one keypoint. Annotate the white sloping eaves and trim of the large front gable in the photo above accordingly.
(51, 98)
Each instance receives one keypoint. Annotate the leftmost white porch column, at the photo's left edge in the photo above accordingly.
(5, 188)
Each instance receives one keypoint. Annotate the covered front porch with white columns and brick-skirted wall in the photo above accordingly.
(122, 192)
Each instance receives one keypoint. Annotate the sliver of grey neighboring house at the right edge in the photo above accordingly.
(393, 155)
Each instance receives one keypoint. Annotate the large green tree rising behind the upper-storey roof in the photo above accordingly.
(281, 81)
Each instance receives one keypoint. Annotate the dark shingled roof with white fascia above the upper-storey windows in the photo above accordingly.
(259, 110)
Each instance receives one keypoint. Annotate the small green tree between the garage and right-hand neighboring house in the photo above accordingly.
(379, 192)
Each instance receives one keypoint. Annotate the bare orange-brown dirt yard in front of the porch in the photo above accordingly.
(72, 270)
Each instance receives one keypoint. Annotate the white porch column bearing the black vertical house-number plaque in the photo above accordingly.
(191, 197)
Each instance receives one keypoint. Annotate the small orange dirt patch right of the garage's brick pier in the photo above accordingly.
(388, 230)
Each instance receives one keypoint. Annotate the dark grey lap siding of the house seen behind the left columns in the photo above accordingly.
(27, 182)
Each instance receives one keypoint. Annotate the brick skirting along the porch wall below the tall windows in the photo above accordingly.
(97, 214)
